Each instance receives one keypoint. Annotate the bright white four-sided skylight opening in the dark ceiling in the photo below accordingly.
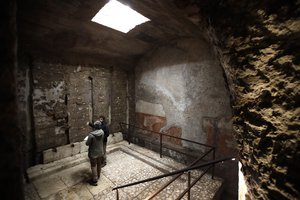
(118, 16)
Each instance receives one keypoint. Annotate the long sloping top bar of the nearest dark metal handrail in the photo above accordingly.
(181, 171)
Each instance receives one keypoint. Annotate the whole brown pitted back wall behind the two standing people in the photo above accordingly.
(64, 98)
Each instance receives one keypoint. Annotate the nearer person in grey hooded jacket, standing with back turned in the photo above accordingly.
(95, 151)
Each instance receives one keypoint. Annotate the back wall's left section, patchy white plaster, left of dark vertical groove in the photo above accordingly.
(49, 107)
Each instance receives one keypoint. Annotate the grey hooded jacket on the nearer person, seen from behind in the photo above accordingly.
(95, 143)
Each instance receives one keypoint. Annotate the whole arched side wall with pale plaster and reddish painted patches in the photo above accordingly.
(181, 91)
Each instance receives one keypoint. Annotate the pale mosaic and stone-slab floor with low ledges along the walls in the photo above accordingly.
(125, 163)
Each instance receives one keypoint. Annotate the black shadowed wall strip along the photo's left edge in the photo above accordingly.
(11, 149)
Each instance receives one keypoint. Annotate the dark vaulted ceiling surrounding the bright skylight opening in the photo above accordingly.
(62, 30)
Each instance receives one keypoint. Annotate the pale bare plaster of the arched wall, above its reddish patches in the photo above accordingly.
(186, 80)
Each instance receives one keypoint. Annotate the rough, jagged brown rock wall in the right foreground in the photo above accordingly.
(258, 42)
